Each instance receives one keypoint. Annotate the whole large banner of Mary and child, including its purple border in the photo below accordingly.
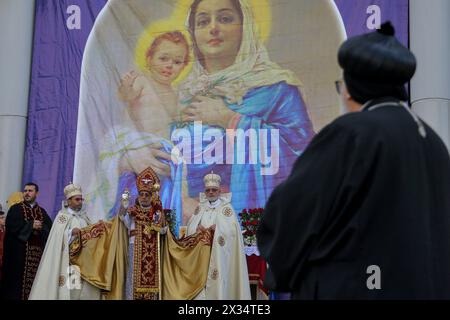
(188, 87)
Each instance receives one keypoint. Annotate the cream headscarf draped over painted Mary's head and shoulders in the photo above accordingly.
(251, 69)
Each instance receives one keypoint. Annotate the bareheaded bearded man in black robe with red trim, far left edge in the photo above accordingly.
(27, 228)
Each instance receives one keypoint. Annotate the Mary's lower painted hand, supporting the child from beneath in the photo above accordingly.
(139, 160)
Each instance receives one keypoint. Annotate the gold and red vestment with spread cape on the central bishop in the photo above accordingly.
(101, 254)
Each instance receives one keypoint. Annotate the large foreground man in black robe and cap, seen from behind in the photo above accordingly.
(365, 213)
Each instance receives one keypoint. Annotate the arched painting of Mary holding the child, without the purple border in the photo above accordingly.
(228, 97)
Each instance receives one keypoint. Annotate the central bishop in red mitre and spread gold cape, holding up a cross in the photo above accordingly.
(136, 256)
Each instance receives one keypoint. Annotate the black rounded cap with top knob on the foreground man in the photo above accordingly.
(376, 65)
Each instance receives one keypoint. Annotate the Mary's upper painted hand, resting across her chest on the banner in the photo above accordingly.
(209, 111)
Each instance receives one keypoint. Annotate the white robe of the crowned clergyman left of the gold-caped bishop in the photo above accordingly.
(54, 277)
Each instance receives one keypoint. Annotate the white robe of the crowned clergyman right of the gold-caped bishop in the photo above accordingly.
(227, 272)
